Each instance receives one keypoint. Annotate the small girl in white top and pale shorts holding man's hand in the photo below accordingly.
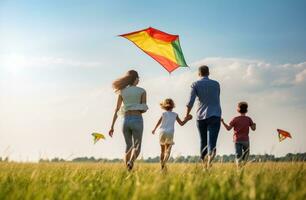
(166, 129)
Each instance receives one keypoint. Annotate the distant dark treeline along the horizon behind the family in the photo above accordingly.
(290, 157)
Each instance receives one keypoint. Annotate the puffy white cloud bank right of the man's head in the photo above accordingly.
(256, 74)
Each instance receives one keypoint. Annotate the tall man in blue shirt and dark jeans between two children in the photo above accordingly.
(208, 113)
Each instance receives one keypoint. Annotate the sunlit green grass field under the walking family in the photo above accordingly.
(181, 181)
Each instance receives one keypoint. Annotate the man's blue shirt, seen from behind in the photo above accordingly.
(208, 93)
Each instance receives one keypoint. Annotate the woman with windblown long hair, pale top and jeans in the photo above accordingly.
(134, 101)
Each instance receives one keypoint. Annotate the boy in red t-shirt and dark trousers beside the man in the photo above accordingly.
(241, 126)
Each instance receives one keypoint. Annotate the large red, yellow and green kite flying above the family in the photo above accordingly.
(162, 47)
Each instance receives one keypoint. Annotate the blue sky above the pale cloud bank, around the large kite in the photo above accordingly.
(270, 30)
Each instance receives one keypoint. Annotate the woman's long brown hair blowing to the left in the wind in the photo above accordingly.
(128, 79)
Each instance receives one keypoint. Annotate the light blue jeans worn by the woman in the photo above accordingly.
(132, 130)
